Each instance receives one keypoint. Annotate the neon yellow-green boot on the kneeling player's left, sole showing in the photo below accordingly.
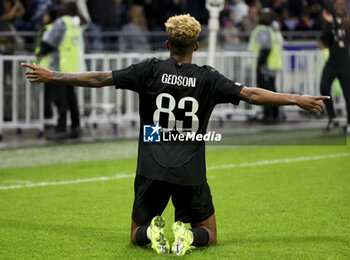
(156, 232)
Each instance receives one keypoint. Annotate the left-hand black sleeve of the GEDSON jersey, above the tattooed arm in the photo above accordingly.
(134, 76)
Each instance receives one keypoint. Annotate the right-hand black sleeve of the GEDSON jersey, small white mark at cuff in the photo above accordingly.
(224, 89)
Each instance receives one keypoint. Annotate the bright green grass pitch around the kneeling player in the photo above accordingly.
(272, 202)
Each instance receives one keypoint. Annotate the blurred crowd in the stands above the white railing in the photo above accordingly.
(138, 25)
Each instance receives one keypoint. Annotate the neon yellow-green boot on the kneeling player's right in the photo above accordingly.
(183, 239)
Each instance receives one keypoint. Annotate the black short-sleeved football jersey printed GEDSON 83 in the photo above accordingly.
(179, 99)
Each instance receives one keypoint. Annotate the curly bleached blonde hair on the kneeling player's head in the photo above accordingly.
(183, 31)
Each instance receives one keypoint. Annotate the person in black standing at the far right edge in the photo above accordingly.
(336, 37)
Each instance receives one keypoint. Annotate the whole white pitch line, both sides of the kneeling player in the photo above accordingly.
(124, 176)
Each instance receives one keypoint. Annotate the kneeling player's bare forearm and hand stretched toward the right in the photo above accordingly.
(258, 96)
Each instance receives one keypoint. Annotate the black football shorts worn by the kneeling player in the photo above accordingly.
(192, 204)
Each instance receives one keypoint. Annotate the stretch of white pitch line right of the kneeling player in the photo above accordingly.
(287, 160)
